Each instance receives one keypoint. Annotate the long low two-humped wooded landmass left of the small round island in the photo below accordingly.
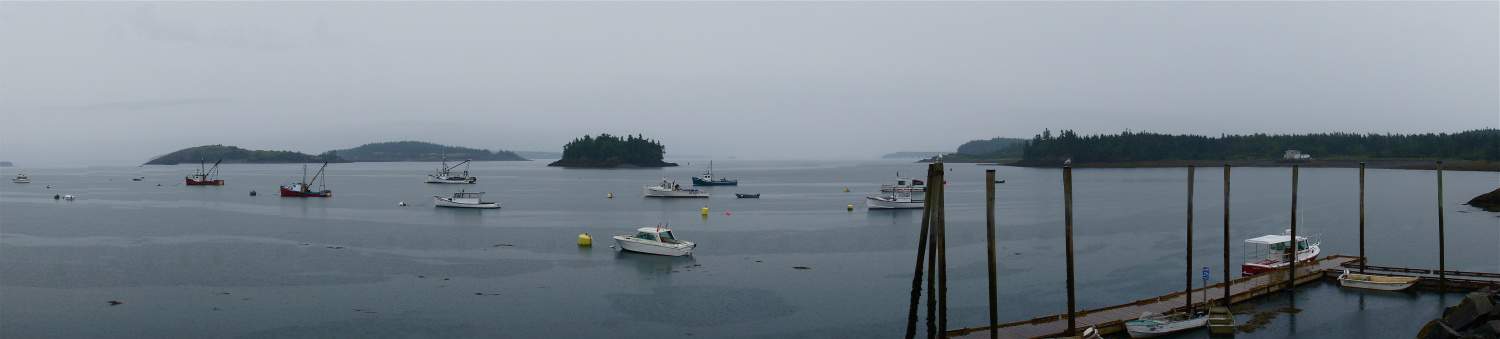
(376, 152)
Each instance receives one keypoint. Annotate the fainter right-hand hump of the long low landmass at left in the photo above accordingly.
(418, 152)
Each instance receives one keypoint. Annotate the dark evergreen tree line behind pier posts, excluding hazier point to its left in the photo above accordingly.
(1480, 145)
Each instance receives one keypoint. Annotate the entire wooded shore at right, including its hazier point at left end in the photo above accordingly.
(1477, 149)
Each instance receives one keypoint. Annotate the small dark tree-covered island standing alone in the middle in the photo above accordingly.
(613, 152)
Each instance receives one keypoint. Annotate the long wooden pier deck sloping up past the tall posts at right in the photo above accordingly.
(1112, 320)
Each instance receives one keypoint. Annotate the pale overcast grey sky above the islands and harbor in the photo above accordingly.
(119, 83)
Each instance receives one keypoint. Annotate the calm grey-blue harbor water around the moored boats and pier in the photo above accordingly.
(218, 263)
